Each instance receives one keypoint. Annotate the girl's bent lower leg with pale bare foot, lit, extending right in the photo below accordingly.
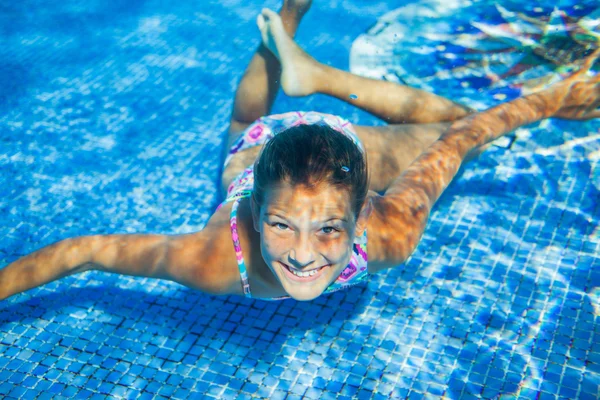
(303, 75)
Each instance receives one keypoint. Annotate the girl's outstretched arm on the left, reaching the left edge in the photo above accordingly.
(185, 259)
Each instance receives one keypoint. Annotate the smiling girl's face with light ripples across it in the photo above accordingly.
(306, 236)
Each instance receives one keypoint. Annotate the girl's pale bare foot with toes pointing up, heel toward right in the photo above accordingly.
(298, 69)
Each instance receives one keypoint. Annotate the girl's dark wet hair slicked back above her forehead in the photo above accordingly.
(310, 155)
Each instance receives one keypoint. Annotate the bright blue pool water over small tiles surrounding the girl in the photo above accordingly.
(112, 119)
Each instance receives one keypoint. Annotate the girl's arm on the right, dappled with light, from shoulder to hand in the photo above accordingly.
(400, 216)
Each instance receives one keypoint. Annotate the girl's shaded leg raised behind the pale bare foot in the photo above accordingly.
(257, 90)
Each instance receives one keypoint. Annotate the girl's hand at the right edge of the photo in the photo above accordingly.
(578, 96)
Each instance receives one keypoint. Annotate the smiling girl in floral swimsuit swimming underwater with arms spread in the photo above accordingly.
(300, 197)
